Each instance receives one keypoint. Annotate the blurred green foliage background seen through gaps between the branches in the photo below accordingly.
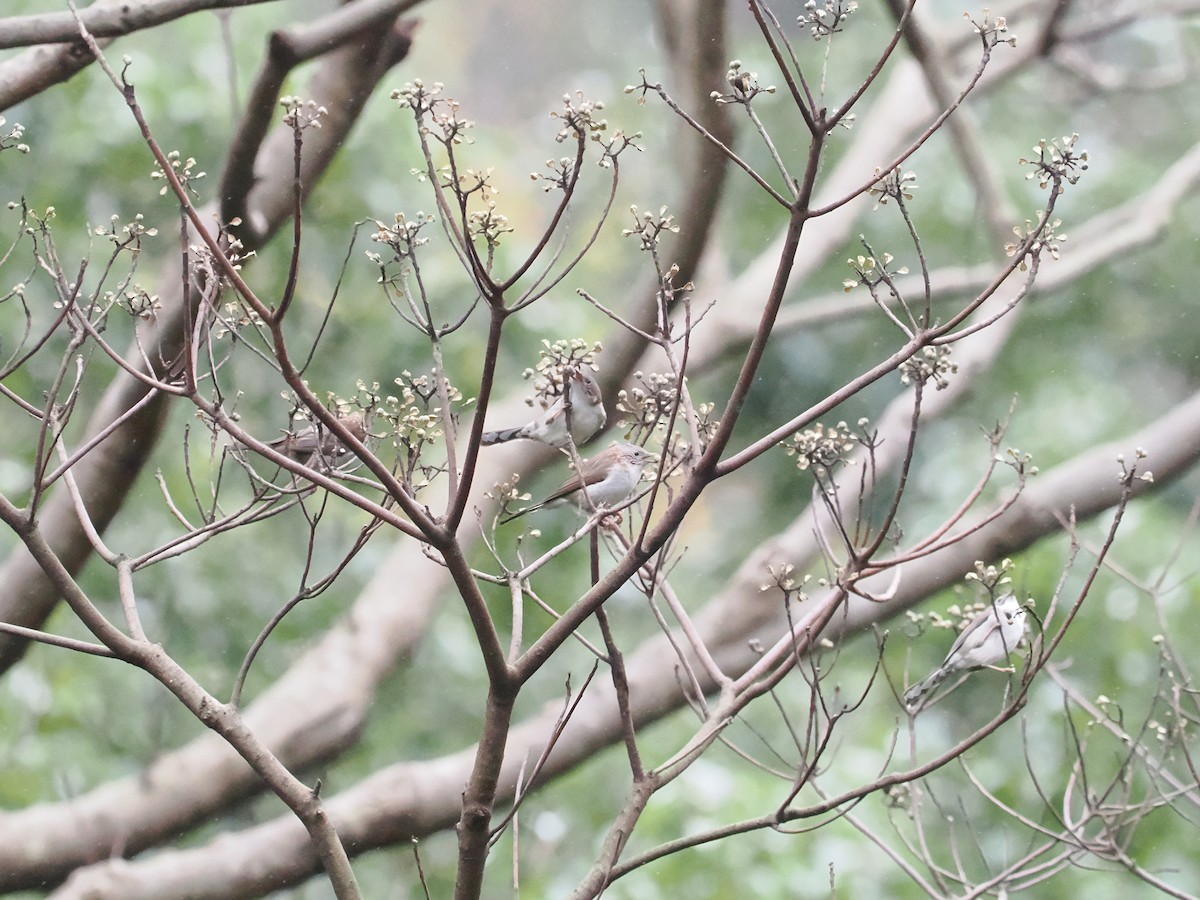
(1089, 364)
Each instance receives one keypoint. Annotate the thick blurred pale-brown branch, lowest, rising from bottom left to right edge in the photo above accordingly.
(419, 799)
